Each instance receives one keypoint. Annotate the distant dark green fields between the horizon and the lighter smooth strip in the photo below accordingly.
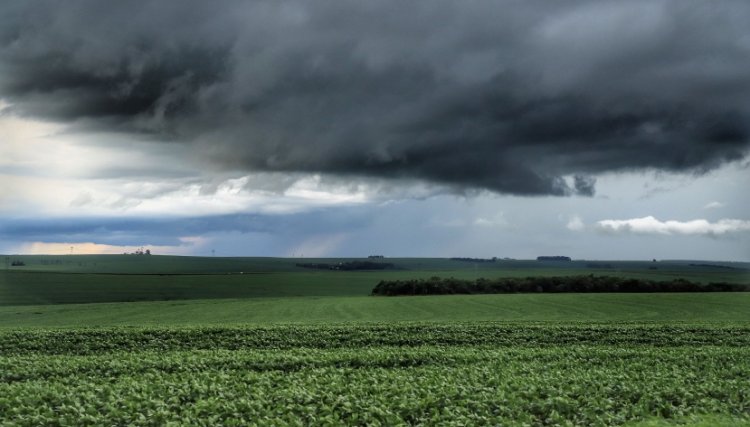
(89, 279)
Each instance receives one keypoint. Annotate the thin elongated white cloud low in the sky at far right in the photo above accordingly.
(653, 226)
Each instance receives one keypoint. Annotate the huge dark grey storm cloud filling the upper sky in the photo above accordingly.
(509, 96)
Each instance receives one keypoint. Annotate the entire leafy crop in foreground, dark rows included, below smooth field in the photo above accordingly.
(413, 374)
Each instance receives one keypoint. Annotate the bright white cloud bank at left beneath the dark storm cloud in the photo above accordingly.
(50, 170)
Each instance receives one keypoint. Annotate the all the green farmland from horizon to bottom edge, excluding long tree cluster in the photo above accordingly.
(129, 340)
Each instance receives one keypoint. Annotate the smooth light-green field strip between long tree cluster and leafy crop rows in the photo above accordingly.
(711, 307)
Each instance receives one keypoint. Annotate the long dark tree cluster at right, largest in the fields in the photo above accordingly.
(568, 284)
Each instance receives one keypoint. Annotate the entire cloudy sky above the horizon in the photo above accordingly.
(593, 129)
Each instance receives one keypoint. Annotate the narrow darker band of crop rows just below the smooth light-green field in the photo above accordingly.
(492, 334)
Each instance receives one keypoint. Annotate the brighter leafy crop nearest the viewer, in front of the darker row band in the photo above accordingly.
(576, 385)
